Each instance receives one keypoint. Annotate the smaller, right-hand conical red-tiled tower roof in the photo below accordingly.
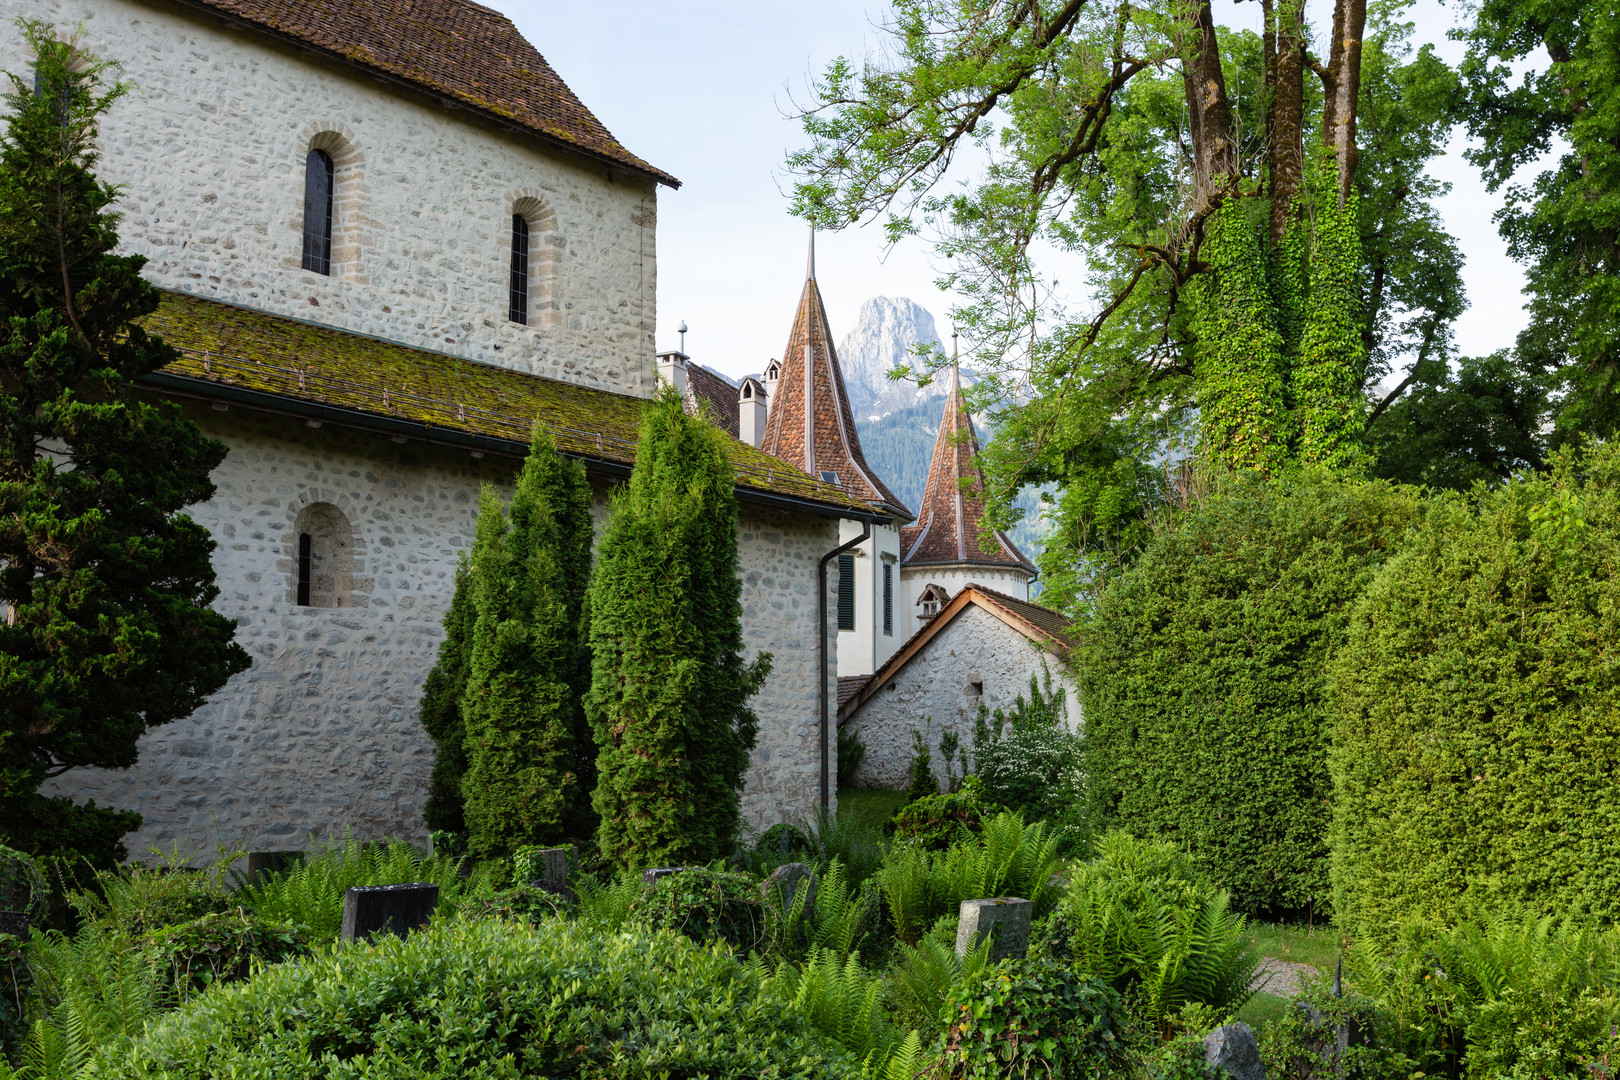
(947, 530)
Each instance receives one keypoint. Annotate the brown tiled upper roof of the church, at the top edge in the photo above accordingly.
(451, 48)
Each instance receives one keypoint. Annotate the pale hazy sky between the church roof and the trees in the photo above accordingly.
(701, 90)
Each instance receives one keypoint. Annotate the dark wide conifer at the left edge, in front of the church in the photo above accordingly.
(104, 584)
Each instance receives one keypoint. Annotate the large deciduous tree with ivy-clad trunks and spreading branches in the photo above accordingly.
(1253, 226)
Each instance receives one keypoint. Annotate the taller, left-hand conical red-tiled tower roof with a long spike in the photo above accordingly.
(811, 423)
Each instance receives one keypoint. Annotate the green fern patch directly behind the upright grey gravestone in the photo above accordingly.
(1005, 859)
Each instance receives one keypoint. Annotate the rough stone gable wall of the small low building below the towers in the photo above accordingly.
(974, 648)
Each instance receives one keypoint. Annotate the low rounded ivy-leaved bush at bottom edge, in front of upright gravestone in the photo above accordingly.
(1033, 1018)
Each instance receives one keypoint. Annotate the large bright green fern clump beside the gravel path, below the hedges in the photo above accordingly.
(1141, 921)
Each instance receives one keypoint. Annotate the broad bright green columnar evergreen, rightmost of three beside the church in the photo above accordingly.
(670, 689)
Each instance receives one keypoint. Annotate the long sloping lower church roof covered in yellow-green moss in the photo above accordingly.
(254, 351)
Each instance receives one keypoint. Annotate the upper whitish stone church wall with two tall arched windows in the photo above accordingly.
(211, 147)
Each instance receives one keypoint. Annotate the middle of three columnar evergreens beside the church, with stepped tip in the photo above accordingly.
(529, 668)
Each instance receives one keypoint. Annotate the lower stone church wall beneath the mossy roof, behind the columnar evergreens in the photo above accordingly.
(322, 734)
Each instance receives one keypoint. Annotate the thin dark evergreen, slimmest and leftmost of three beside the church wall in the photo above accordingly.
(441, 710)
